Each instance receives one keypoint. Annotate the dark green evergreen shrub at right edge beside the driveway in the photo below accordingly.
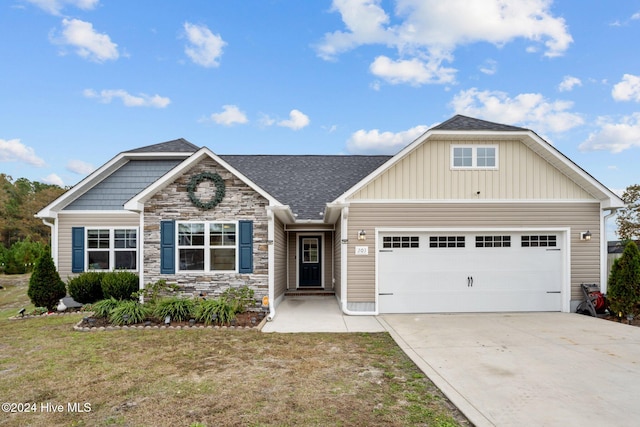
(624, 282)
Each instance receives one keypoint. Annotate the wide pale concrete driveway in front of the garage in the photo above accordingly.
(528, 369)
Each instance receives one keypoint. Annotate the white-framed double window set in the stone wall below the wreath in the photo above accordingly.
(207, 246)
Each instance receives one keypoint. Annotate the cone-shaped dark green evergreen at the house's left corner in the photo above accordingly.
(45, 286)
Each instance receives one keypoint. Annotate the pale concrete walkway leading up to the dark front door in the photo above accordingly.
(318, 314)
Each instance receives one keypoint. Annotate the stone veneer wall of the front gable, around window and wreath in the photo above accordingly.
(240, 203)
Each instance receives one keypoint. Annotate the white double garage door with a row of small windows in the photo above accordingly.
(470, 272)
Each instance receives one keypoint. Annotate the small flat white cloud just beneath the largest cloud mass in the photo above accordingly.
(412, 71)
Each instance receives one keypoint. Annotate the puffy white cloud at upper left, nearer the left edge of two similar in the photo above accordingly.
(88, 43)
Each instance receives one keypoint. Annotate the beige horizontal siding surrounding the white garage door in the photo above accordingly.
(580, 216)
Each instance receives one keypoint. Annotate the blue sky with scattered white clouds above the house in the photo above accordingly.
(83, 80)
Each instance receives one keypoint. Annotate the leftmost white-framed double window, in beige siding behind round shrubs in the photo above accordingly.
(112, 249)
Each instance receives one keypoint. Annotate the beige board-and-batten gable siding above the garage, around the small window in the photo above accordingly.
(426, 174)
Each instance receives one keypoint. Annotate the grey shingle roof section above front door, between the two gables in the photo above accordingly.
(305, 183)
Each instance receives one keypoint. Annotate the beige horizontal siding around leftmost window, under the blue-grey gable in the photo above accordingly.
(67, 221)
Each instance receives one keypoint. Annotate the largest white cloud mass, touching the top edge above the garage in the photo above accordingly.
(429, 31)
